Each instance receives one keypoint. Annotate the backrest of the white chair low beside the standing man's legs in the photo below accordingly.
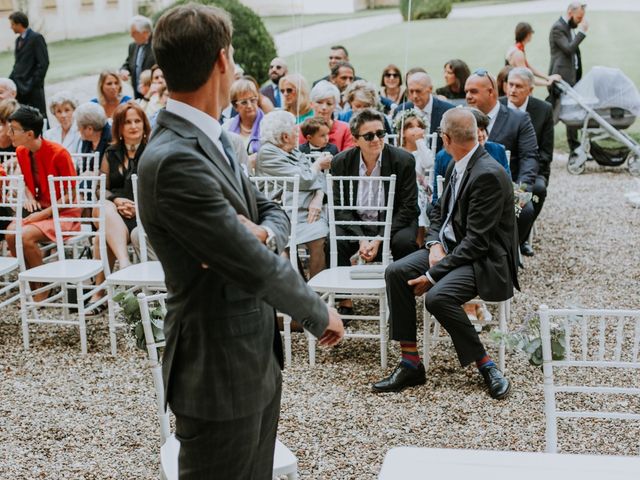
(148, 325)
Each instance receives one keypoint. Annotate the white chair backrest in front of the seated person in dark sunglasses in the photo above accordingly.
(342, 196)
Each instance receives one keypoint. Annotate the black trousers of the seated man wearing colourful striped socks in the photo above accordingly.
(444, 301)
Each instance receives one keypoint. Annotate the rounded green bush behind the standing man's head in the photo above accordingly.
(253, 45)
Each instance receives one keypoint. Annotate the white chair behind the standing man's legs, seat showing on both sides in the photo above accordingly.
(284, 462)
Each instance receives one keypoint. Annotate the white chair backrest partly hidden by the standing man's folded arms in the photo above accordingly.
(274, 188)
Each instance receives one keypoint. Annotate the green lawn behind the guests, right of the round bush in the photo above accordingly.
(611, 41)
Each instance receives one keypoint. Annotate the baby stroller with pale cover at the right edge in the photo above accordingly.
(603, 104)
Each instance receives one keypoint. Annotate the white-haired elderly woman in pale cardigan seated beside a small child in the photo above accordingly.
(279, 156)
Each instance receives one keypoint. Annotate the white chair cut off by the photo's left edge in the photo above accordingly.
(11, 202)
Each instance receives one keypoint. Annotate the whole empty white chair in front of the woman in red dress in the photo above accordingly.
(67, 273)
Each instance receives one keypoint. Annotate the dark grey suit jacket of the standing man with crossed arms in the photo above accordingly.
(223, 284)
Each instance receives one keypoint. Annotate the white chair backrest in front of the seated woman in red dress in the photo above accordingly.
(67, 197)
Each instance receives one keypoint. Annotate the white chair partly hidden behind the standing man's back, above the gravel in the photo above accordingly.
(145, 276)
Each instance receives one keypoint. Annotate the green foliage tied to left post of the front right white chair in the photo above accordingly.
(528, 341)
